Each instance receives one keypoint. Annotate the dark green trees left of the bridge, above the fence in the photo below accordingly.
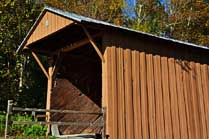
(18, 74)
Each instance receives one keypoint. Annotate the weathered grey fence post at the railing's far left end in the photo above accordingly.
(9, 110)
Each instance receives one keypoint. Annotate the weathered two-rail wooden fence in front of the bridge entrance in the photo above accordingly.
(11, 109)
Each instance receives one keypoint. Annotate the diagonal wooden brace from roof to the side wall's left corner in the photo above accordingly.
(91, 40)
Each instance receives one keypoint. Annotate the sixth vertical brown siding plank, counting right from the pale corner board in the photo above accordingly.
(151, 96)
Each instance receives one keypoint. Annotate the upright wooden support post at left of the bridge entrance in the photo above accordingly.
(49, 92)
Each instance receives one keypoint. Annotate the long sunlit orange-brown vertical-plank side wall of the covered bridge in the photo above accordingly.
(154, 96)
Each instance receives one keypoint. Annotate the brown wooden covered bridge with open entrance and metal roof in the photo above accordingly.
(152, 87)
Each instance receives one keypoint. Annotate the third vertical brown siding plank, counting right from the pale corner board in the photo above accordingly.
(128, 95)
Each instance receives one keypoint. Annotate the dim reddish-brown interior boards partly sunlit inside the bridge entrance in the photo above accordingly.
(65, 95)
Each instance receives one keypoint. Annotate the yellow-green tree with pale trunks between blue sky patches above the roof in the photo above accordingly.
(149, 16)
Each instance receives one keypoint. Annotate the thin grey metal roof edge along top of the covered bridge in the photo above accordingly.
(79, 18)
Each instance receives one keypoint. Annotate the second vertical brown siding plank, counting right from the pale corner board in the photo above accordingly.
(121, 95)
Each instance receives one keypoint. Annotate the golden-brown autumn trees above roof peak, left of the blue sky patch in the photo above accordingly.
(106, 10)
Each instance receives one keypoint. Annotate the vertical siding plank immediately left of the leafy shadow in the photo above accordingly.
(174, 98)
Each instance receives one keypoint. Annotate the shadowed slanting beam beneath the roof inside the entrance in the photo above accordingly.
(78, 44)
